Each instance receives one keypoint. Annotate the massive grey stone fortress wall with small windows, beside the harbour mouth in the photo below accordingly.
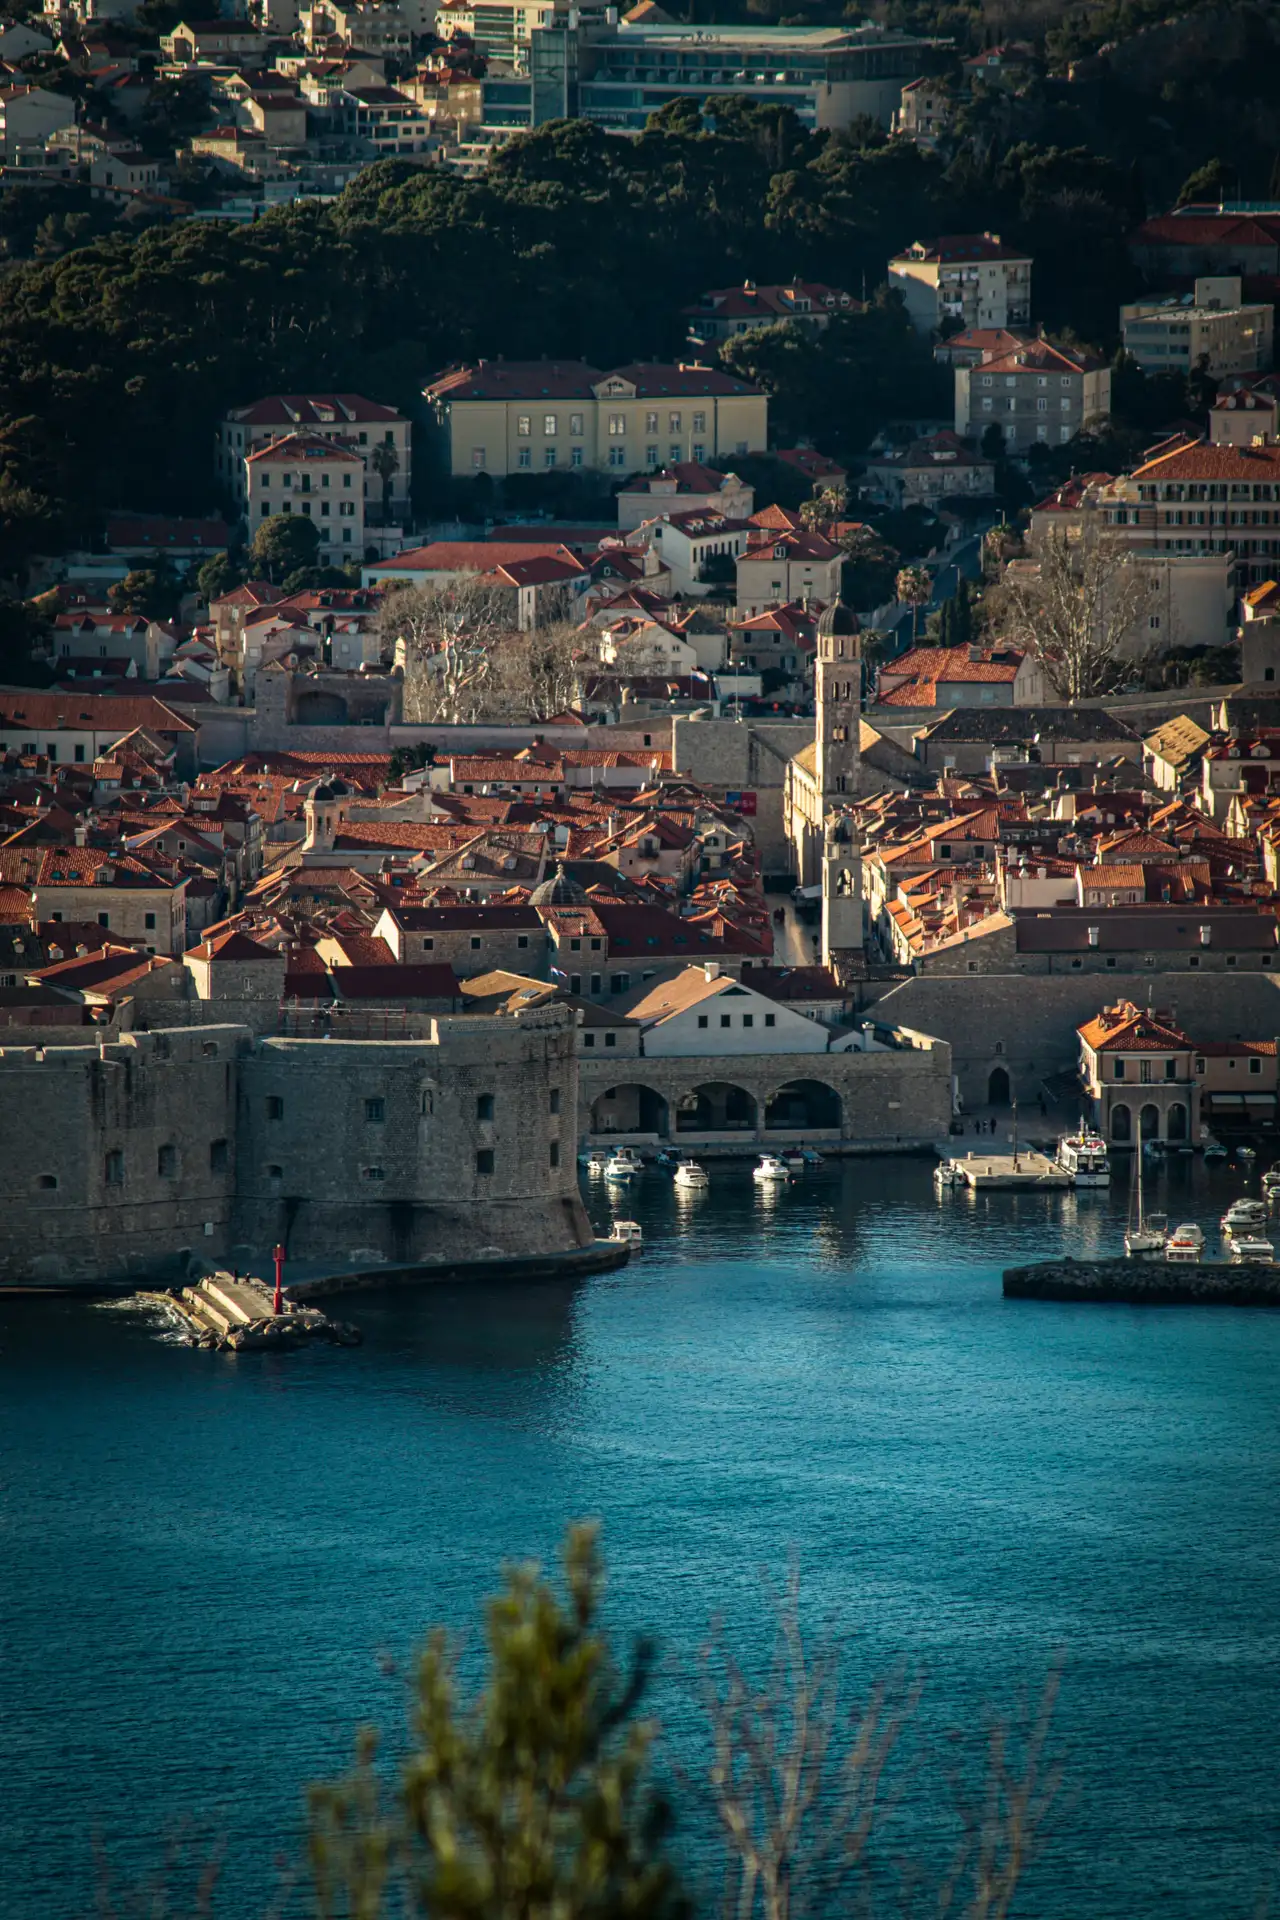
(120, 1163)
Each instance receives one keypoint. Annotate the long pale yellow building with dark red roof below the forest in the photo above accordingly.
(506, 418)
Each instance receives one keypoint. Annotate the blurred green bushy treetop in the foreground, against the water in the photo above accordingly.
(527, 1802)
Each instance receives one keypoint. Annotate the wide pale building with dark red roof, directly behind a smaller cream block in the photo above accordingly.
(348, 420)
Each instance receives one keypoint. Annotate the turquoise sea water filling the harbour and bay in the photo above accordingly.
(202, 1558)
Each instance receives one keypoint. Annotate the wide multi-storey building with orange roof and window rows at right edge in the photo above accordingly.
(1198, 498)
